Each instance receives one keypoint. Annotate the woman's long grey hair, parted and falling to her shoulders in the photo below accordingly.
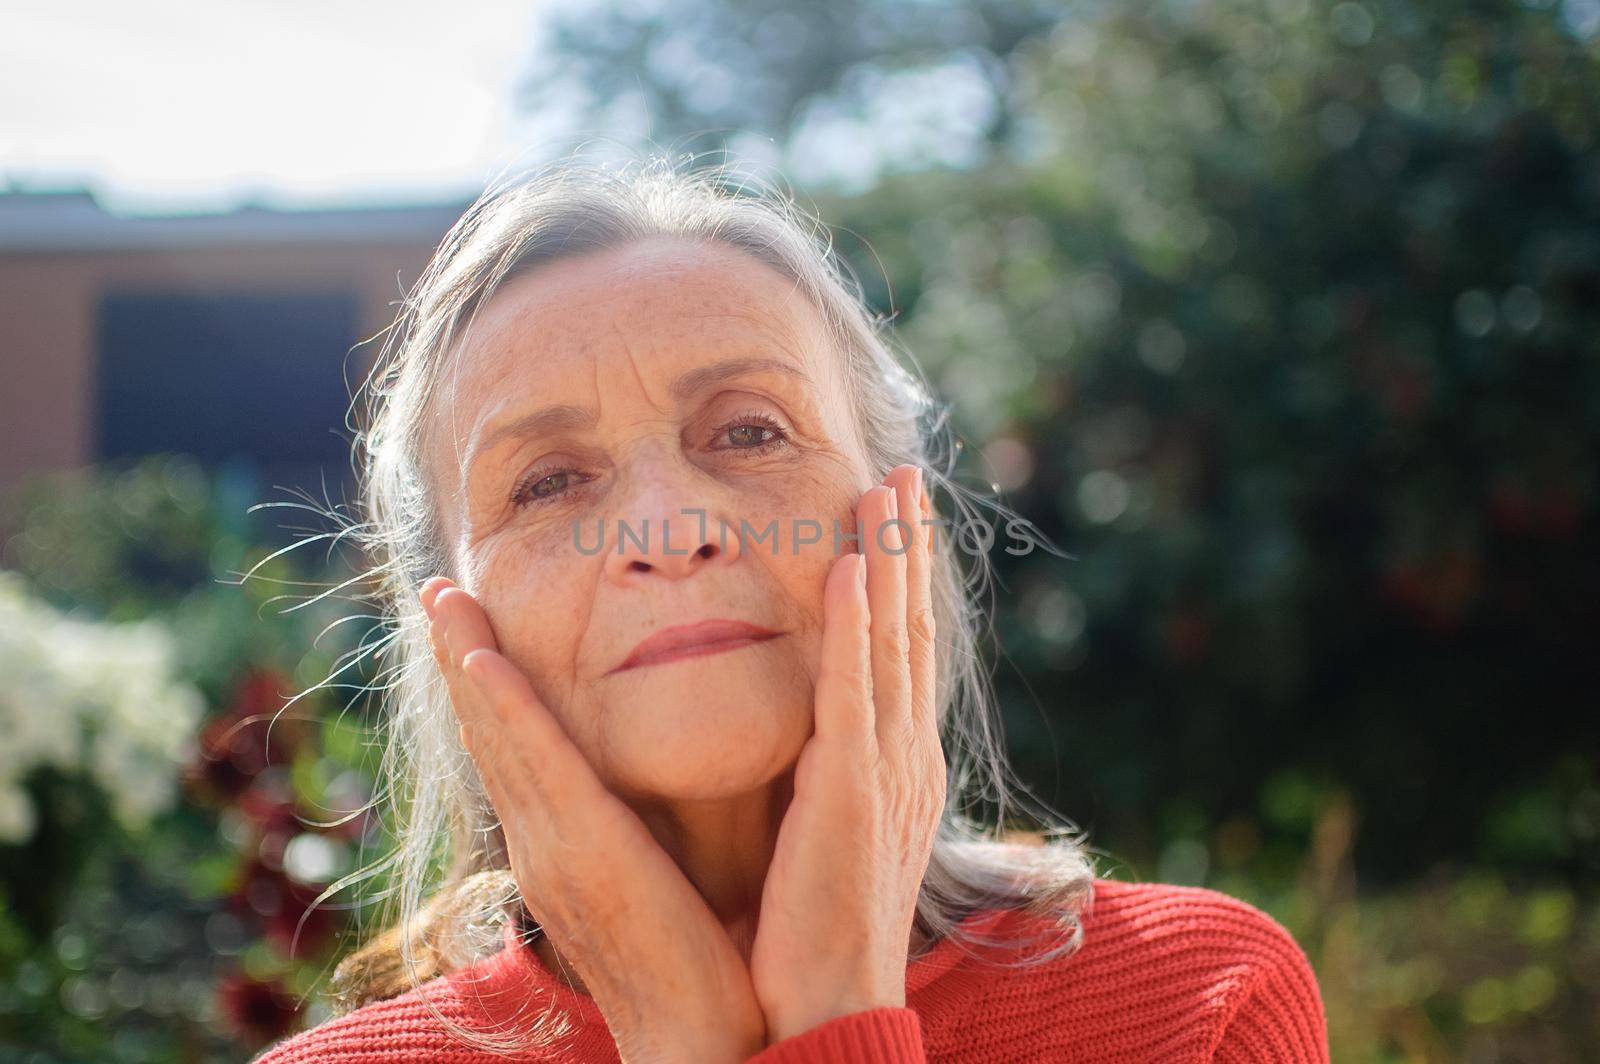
(450, 855)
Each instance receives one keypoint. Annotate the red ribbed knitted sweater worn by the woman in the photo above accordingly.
(1166, 974)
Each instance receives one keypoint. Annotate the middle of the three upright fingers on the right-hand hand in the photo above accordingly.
(886, 551)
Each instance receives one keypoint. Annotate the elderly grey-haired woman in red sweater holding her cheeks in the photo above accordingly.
(687, 703)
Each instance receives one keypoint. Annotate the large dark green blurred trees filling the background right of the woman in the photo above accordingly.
(1282, 316)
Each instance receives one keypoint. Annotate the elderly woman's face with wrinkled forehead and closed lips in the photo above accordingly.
(602, 401)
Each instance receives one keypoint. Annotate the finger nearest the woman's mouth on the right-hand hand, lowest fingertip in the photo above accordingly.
(844, 684)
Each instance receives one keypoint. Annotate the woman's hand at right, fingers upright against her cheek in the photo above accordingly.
(841, 895)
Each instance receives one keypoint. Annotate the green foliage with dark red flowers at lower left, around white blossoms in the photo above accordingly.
(204, 935)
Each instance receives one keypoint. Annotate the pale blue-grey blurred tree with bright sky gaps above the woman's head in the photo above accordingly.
(919, 78)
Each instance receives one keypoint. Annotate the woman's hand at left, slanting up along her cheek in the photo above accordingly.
(658, 964)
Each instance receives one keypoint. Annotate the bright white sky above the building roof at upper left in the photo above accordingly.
(162, 105)
